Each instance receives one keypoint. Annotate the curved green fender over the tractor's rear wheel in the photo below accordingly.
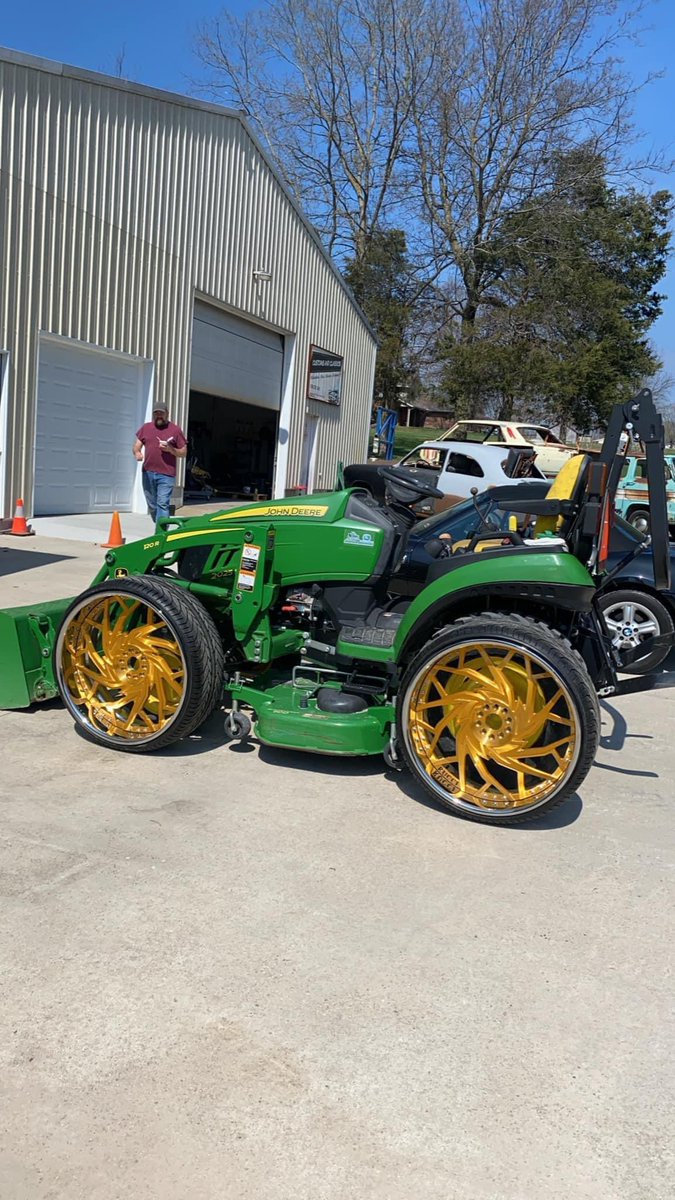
(551, 579)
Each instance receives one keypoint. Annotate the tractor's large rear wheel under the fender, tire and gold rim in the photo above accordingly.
(498, 719)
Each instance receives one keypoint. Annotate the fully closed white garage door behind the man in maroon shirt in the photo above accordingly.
(89, 407)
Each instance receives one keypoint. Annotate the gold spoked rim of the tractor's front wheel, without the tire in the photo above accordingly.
(122, 669)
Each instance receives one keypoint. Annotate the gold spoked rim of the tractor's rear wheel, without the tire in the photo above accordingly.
(493, 727)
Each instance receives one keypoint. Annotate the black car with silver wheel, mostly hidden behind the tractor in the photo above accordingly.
(634, 610)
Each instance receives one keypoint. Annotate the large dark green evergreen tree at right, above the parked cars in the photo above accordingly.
(564, 332)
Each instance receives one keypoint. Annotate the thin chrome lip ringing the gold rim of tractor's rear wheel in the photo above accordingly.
(468, 806)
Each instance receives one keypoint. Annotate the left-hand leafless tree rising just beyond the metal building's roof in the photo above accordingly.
(333, 86)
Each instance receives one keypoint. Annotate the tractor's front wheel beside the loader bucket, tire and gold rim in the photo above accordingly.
(140, 663)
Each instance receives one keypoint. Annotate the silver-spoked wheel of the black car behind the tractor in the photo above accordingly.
(632, 620)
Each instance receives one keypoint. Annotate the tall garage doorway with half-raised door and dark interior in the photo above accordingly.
(235, 400)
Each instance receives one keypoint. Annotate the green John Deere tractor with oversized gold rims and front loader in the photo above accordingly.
(485, 685)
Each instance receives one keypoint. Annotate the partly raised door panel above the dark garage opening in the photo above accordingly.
(235, 358)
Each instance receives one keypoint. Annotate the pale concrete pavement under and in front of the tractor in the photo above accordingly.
(236, 973)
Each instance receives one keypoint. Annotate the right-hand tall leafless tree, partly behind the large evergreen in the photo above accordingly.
(522, 83)
